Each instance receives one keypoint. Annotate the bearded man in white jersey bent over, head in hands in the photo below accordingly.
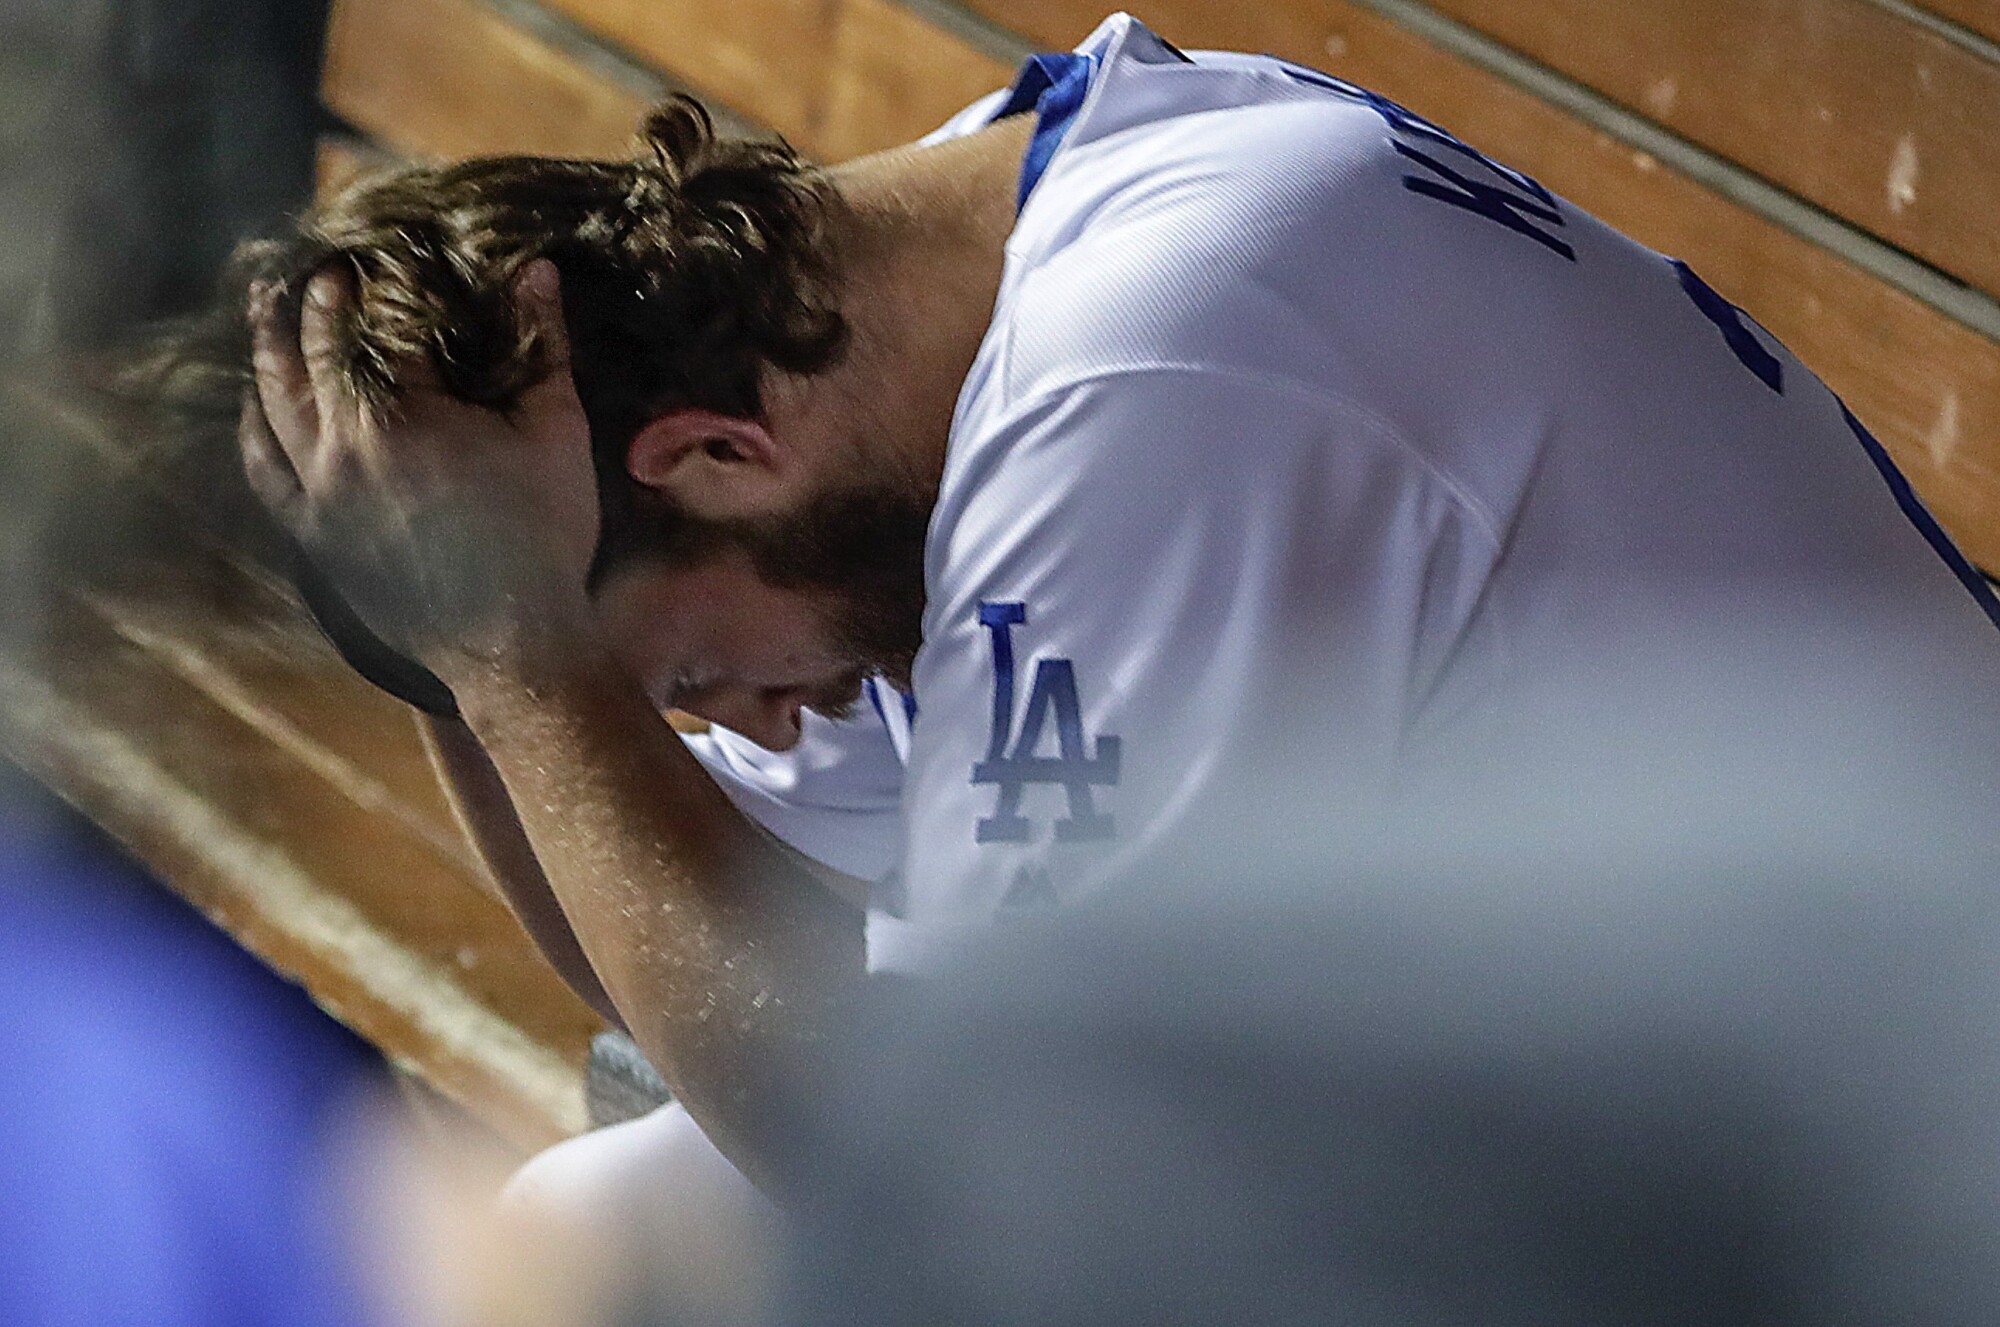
(1005, 499)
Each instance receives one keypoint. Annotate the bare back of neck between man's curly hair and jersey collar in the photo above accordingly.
(921, 237)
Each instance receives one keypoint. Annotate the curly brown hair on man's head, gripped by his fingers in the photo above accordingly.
(685, 273)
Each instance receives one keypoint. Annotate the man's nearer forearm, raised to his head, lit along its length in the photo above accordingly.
(729, 962)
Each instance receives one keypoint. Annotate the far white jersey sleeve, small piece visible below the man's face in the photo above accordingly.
(835, 796)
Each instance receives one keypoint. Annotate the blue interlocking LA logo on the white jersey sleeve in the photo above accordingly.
(1077, 766)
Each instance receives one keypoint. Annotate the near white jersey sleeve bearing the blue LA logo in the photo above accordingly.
(1143, 589)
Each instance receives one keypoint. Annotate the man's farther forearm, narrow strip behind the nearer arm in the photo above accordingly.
(487, 814)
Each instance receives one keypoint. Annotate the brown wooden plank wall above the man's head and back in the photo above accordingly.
(1829, 165)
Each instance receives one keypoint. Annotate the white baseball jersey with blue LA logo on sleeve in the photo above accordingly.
(1303, 421)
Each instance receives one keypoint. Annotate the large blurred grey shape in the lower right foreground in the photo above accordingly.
(1679, 1010)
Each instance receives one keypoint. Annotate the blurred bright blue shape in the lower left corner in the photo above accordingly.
(169, 1110)
